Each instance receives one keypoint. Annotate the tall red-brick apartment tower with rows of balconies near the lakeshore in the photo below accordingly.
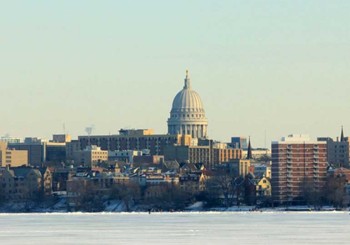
(297, 163)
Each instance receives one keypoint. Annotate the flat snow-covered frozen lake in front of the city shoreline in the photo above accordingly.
(177, 228)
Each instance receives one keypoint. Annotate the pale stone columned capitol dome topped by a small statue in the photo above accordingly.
(187, 115)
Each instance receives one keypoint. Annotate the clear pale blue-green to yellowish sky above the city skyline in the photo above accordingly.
(263, 68)
